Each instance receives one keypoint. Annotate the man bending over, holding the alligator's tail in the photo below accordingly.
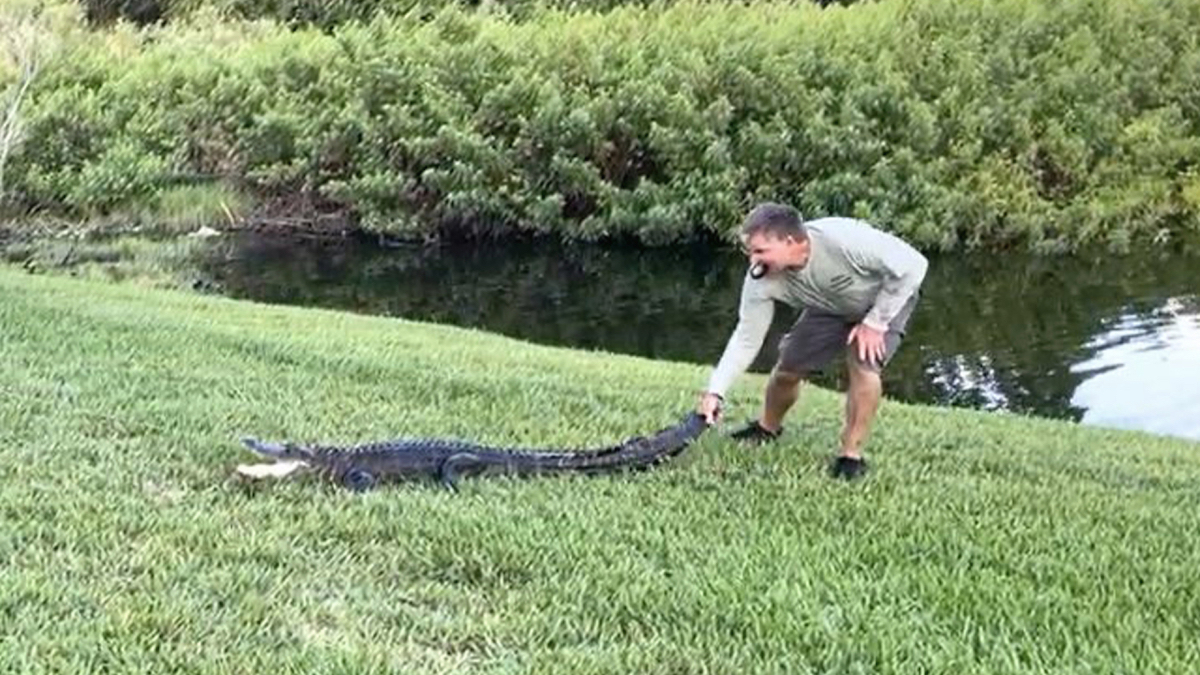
(859, 286)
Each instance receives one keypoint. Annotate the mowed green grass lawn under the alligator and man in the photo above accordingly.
(981, 543)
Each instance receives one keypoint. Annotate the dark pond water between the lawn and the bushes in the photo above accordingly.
(1100, 341)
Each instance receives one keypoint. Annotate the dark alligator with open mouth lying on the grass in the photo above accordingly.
(365, 467)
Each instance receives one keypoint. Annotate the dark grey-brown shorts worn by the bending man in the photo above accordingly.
(818, 337)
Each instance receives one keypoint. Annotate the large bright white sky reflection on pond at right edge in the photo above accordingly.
(1147, 373)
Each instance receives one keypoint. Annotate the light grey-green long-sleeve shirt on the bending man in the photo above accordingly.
(854, 271)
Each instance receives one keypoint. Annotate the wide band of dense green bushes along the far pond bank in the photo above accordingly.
(953, 123)
